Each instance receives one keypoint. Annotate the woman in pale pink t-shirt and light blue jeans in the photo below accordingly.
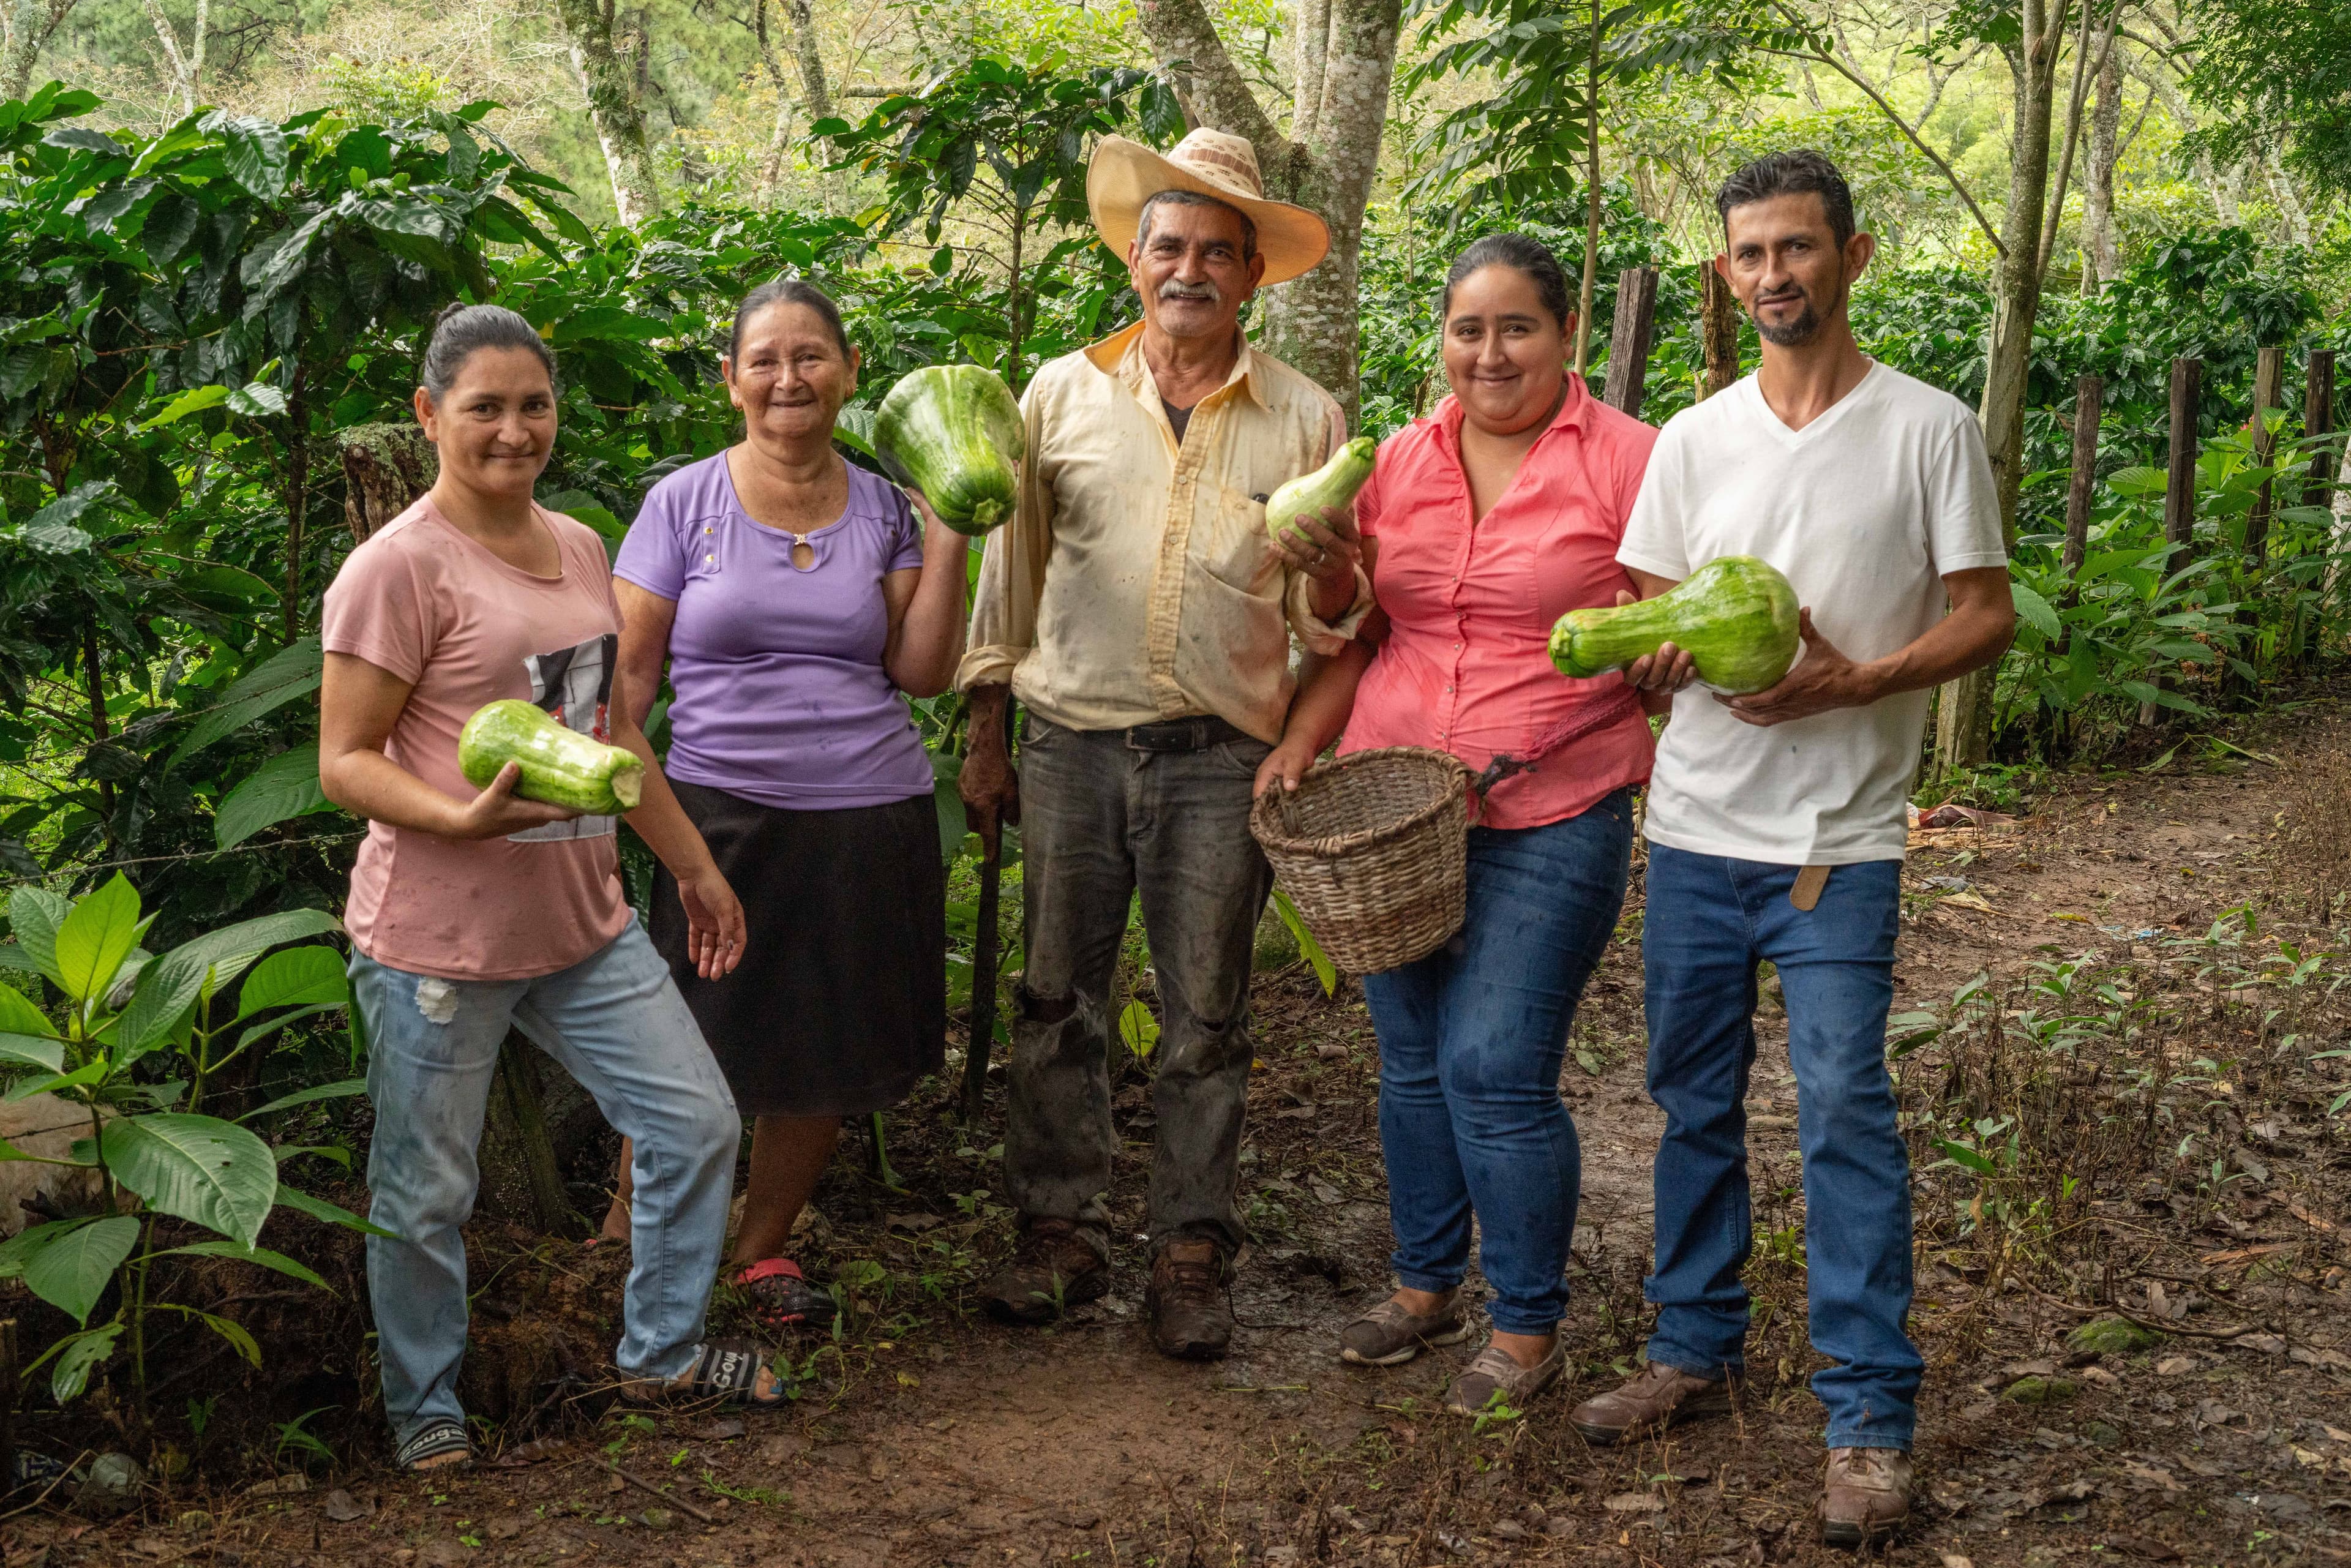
(478, 911)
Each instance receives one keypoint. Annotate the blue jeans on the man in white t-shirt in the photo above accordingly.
(1708, 925)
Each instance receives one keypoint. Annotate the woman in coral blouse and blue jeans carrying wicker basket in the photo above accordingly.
(1482, 525)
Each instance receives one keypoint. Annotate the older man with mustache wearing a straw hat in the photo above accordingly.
(1144, 619)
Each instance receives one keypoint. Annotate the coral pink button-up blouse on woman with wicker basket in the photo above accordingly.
(1466, 666)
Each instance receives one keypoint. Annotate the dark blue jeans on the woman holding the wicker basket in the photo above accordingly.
(1471, 1043)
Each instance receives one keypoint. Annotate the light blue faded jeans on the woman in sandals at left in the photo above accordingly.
(619, 1026)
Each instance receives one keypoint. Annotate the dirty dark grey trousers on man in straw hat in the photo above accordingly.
(1101, 824)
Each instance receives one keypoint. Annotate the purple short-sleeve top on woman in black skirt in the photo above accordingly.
(777, 669)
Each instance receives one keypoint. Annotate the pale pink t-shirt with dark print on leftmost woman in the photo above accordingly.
(467, 629)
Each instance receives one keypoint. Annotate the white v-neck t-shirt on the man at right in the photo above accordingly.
(1866, 511)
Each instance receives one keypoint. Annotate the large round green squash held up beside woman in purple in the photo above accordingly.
(953, 431)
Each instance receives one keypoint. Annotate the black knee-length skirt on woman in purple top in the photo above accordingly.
(840, 1003)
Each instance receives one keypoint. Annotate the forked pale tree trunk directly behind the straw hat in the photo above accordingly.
(1327, 163)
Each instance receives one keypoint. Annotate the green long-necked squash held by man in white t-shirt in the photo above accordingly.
(1736, 617)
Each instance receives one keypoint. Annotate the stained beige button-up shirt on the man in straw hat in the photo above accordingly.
(1137, 582)
